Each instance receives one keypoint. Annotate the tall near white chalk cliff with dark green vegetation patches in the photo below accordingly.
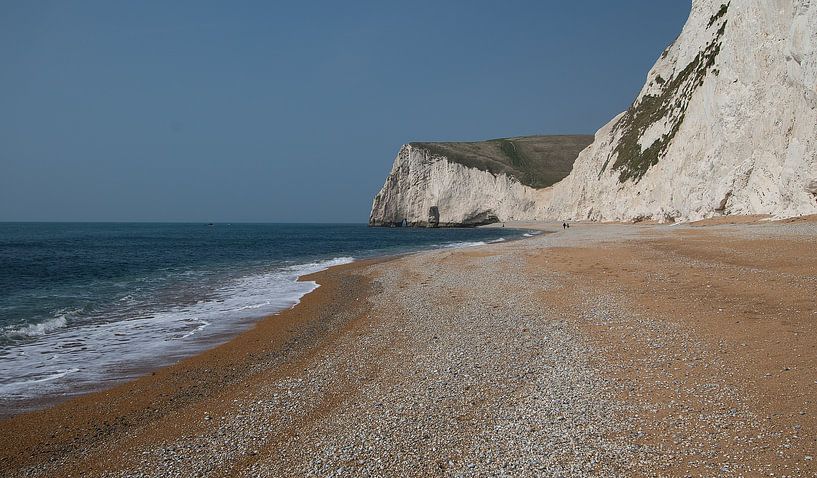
(726, 124)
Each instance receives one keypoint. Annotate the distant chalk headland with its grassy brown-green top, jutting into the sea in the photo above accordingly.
(468, 184)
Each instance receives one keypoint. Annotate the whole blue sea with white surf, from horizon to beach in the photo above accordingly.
(86, 304)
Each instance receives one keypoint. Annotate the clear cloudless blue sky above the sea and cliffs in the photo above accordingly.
(289, 111)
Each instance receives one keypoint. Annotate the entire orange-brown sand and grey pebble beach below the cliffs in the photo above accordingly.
(637, 350)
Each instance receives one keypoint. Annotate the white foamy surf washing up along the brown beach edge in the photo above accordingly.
(151, 338)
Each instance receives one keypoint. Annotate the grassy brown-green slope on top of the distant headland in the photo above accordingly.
(535, 161)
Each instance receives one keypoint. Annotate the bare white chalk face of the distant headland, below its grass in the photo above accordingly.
(419, 182)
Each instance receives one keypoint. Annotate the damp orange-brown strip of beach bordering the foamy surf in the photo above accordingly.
(152, 396)
